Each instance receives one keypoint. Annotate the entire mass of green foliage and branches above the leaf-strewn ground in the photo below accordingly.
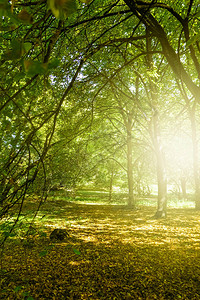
(76, 71)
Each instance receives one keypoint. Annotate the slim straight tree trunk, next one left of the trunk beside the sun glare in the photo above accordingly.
(131, 199)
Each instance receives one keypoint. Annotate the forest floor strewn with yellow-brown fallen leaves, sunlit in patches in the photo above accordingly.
(112, 252)
